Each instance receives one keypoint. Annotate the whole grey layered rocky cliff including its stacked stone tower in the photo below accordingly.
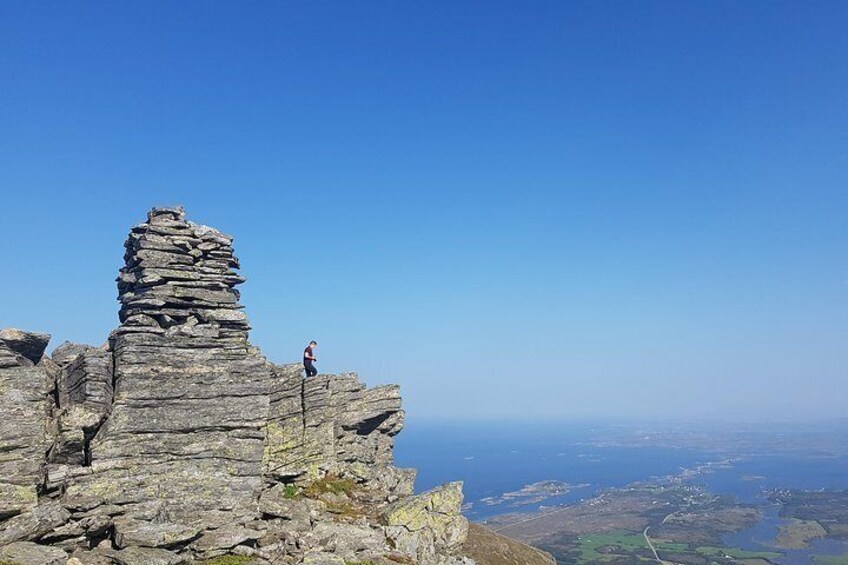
(178, 442)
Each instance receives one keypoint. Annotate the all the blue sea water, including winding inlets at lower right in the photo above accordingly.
(493, 459)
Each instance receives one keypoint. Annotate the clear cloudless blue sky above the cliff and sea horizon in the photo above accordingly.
(516, 210)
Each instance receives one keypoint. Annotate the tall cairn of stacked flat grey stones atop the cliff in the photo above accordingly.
(179, 277)
